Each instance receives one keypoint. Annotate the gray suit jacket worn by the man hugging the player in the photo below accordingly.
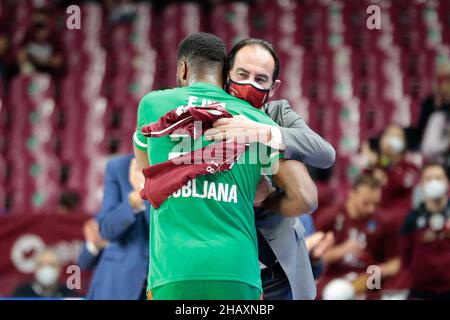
(286, 235)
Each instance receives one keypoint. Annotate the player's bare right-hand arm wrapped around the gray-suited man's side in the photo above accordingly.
(299, 191)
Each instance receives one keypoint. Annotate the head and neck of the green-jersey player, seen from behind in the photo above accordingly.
(200, 55)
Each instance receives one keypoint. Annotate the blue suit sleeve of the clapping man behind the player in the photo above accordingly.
(116, 215)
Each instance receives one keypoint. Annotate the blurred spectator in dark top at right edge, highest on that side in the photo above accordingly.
(439, 100)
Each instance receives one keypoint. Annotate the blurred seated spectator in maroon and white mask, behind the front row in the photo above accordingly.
(396, 171)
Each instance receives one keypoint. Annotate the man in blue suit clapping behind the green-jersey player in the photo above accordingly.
(123, 221)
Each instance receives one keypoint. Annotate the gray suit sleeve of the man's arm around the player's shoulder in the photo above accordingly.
(302, 143)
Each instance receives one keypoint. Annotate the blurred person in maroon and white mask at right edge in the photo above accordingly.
(425, 239)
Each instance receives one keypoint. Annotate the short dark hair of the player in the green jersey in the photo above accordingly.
(201, 50)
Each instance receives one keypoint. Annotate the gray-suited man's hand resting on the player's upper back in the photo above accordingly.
(239, 128)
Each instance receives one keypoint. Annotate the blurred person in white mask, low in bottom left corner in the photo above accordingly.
(46, 279)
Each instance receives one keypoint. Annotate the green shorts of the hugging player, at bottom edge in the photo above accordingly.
(205, 290)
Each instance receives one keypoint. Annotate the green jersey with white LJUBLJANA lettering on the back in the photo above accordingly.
(205, 230)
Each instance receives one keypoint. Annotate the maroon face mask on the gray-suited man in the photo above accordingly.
(249, 91)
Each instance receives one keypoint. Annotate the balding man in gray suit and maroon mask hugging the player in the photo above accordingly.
(253, 69)
